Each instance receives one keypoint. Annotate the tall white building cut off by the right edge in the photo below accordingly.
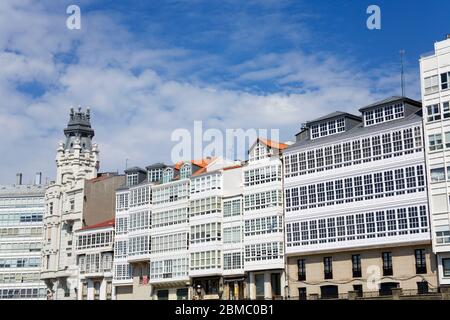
(435, 78)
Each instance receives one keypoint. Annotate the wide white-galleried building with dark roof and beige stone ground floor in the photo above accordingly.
(356, 207)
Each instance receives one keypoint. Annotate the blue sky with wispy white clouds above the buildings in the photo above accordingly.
(148, 67)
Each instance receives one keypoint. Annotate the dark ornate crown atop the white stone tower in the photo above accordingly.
(79, 130)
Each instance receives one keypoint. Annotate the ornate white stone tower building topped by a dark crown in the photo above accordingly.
(76, 161)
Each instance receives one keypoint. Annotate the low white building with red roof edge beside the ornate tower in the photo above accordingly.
(94, 251)
